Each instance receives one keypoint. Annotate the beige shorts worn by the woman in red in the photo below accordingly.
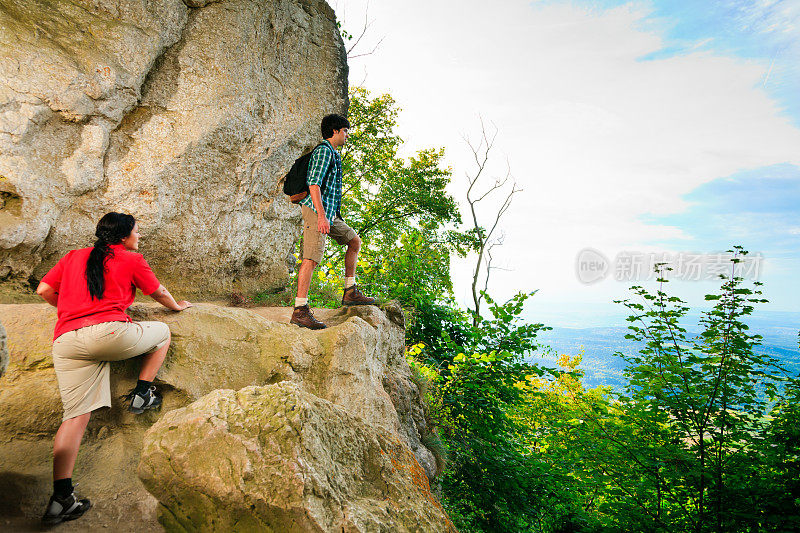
(81, 359)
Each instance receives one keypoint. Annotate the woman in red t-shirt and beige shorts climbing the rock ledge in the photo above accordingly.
(92, 288)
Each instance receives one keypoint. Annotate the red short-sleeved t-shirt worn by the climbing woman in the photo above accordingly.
(125, 271)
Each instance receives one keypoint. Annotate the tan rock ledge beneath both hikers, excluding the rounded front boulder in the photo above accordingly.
(357, 365)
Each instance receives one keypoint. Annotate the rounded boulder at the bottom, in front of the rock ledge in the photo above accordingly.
(276, 458)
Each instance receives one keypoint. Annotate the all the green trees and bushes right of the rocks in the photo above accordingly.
(704, 438)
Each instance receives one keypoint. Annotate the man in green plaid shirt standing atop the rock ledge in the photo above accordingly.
(321, 217)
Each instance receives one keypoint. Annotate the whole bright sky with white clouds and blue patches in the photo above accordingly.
(636, 130)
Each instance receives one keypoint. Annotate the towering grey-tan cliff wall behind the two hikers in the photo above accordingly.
(186, 118)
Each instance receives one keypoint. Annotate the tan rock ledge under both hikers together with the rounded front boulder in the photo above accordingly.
(264, 427)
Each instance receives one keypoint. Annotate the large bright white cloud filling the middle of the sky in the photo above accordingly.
(595, 136)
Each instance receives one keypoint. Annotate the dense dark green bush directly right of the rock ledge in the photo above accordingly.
(494, 481)
